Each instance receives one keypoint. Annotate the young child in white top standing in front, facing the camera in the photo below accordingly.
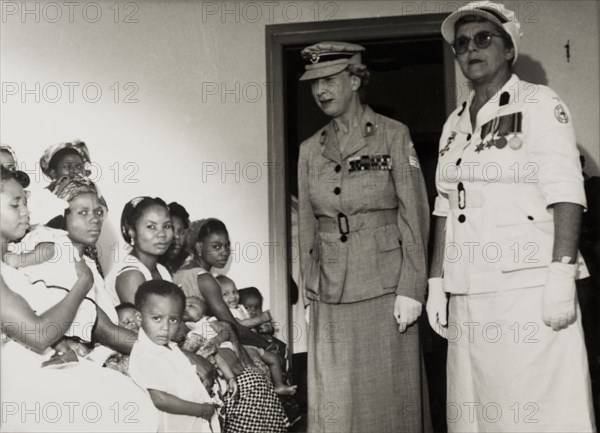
(158, 365)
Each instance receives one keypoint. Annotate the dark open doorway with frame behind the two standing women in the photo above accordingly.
(412, 81)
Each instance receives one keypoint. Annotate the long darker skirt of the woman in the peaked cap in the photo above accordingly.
(363, 375)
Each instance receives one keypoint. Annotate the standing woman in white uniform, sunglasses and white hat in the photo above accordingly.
(509, 206)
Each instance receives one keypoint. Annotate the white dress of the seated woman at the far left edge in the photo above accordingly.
(80, 397)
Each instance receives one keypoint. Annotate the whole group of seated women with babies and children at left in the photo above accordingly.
(156, 343)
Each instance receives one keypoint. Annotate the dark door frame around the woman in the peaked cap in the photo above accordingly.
(278, 37)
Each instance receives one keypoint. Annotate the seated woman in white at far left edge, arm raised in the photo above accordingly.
(80, 398)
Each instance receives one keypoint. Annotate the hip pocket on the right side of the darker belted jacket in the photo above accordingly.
(389, 256)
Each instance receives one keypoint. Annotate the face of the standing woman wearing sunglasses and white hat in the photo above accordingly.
(482, 63)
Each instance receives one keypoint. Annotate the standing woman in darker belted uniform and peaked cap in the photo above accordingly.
(364, 223)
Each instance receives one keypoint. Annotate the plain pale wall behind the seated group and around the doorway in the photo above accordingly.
(182, 58)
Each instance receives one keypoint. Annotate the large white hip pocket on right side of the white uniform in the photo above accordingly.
(525, 239)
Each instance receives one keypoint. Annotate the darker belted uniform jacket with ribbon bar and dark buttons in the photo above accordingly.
(363, 213)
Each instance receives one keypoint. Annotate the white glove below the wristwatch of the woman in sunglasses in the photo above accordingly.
(558, 302)
